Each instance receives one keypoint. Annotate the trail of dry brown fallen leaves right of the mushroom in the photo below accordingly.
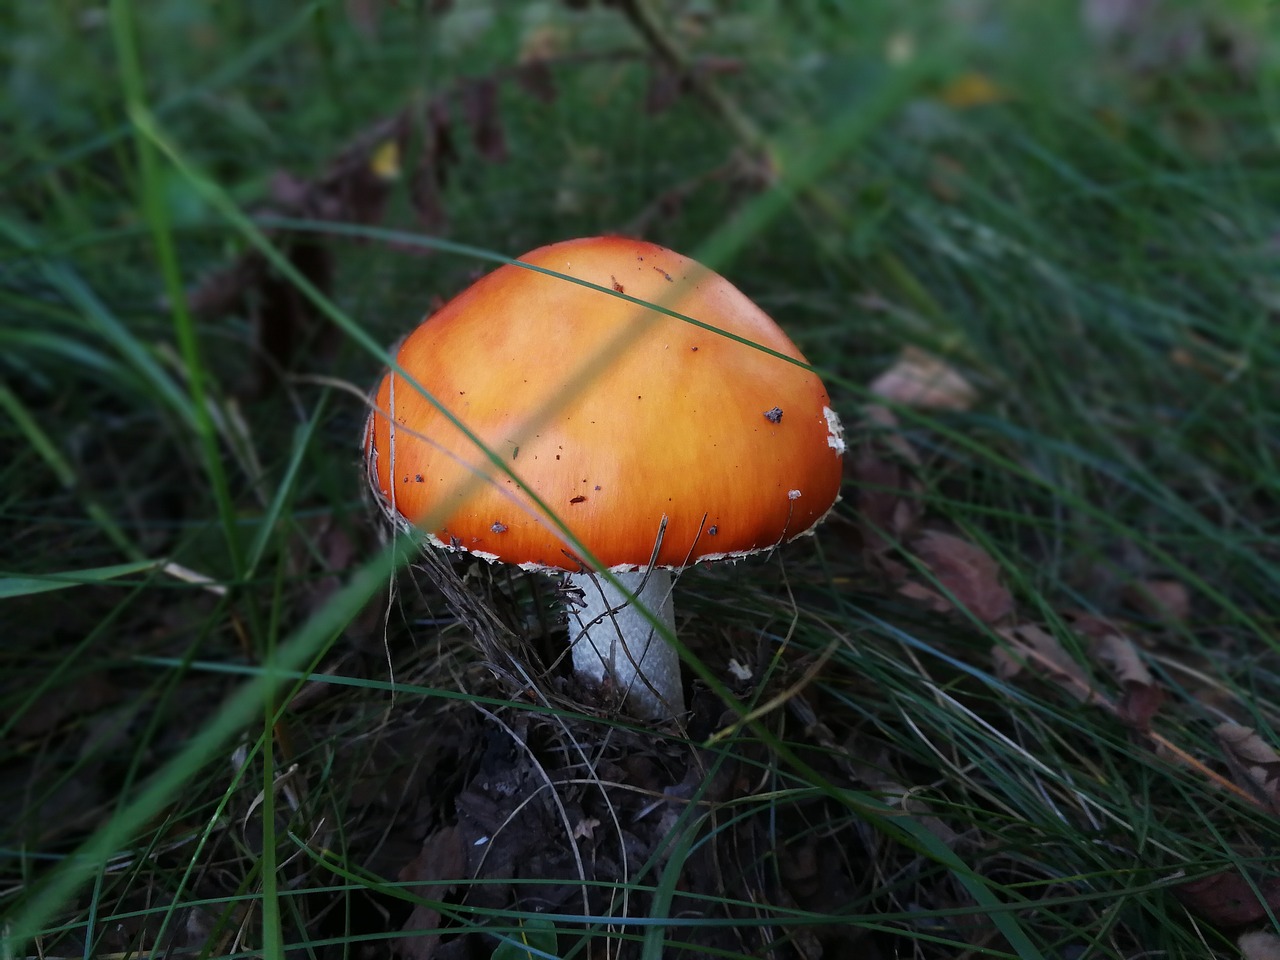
(964, 577)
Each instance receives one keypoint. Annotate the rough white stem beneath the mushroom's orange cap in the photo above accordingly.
(615, 644)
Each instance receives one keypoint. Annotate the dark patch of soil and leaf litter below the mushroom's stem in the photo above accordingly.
(559, 816)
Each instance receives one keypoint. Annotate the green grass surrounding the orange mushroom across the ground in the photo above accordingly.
(220, 715)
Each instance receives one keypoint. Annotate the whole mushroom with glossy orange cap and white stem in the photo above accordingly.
(589, 429)
